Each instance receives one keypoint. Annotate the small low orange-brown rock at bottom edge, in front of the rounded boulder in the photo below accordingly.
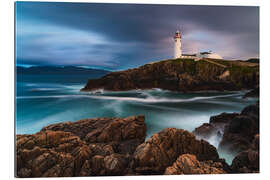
(188, 164)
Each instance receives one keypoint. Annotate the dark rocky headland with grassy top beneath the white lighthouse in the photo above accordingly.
(182, 75)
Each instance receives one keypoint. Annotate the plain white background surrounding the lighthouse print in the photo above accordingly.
(7, 88)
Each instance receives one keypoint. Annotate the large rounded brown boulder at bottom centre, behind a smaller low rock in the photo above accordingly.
(163, 148)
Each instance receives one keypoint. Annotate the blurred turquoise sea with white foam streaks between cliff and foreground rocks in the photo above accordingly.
(45, 99)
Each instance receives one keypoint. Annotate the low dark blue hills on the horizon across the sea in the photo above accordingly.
(54, 70)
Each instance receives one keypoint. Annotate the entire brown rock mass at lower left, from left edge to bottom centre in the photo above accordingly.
(89, 147)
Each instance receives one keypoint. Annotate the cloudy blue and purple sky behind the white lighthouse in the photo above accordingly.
(121, 36)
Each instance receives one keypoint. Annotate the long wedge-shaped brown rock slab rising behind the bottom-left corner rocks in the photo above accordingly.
(129, 131)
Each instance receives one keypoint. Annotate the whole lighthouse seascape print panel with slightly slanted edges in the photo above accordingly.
(135, 89)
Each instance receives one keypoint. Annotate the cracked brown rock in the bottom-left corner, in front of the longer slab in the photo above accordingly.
(48, 155)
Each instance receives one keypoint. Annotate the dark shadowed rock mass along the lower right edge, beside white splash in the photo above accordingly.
(241, 137)
